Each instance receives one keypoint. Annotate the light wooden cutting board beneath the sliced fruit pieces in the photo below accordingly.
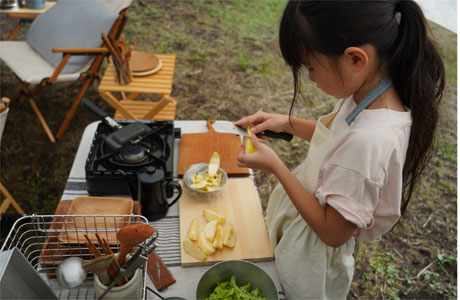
(239, 203)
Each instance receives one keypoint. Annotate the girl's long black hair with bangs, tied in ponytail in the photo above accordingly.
(399, 32)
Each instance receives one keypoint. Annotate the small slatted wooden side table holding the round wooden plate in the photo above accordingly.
(159, 83)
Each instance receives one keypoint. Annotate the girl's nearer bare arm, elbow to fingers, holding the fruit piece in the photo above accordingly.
(326, 222)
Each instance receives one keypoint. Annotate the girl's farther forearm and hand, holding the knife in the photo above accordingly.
(263, 121)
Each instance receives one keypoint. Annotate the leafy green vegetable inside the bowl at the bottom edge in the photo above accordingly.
(228, 290)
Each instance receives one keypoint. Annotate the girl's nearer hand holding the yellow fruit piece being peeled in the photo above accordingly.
(263, 159)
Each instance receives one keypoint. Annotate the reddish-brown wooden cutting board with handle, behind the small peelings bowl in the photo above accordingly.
(198, 148)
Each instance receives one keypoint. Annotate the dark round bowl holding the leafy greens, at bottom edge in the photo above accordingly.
(244, 272)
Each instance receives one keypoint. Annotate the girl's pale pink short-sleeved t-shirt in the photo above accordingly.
(361, 176)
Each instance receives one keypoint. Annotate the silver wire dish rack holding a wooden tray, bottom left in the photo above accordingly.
(46, 240)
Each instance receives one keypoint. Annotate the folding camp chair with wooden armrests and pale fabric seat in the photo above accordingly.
(64, 44)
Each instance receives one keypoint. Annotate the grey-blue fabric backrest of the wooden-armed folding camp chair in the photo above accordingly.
(73, 24)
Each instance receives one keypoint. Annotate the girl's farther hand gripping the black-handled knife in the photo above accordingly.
(262, 121)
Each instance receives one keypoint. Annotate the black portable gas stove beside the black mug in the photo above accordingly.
(110, 170)
